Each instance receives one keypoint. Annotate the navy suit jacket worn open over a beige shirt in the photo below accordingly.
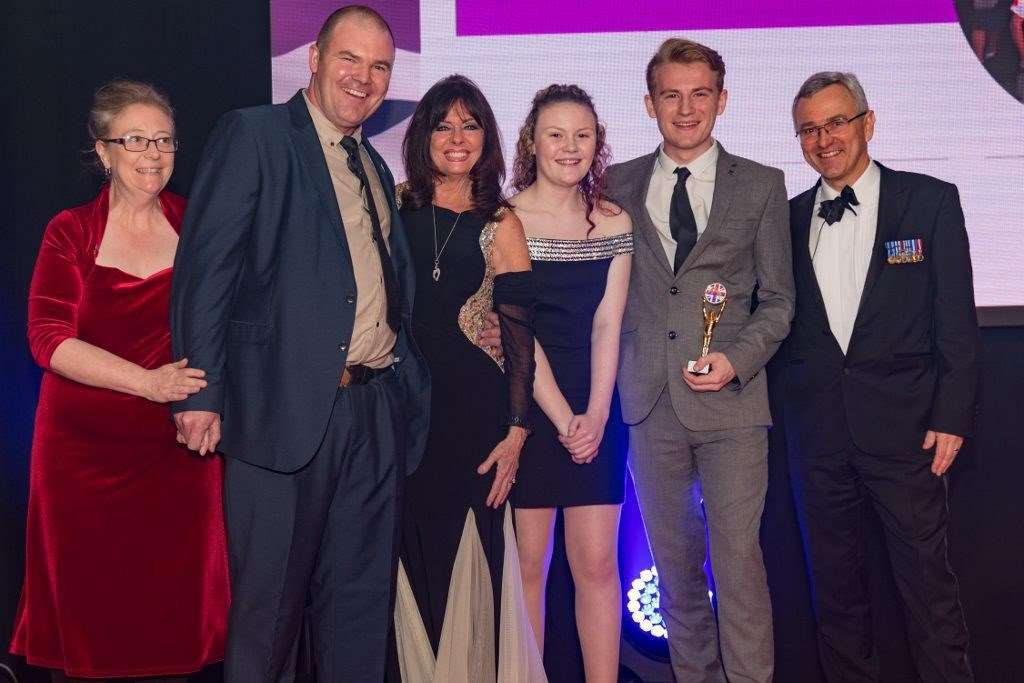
(264, 297)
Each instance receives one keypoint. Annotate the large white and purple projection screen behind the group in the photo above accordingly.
(941, 110)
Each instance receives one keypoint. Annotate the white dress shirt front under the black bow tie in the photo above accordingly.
(842, 252)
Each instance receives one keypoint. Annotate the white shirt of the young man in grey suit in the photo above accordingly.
(700, 189)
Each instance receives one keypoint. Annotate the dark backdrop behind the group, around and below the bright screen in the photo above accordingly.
(212, 57)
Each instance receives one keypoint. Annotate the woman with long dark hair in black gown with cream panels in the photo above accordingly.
(460, 615)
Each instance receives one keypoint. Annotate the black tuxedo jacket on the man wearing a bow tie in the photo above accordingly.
(912, 362)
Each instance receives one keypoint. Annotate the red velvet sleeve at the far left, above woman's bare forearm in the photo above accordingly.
(57, 287)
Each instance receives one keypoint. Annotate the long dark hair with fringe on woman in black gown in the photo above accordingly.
(489, 174)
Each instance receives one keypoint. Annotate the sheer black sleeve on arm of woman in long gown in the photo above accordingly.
(515, 298)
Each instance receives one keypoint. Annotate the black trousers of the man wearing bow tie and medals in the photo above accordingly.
(832, 491)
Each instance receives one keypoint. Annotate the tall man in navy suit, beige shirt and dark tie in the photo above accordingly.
(293, 288)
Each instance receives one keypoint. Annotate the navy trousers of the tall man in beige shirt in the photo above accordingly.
(320, 541)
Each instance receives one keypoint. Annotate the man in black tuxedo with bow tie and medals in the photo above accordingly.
(880, 382)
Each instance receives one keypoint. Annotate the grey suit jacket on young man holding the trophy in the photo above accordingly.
(747, 248)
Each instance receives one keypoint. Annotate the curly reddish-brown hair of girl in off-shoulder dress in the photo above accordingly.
(525, 168)
